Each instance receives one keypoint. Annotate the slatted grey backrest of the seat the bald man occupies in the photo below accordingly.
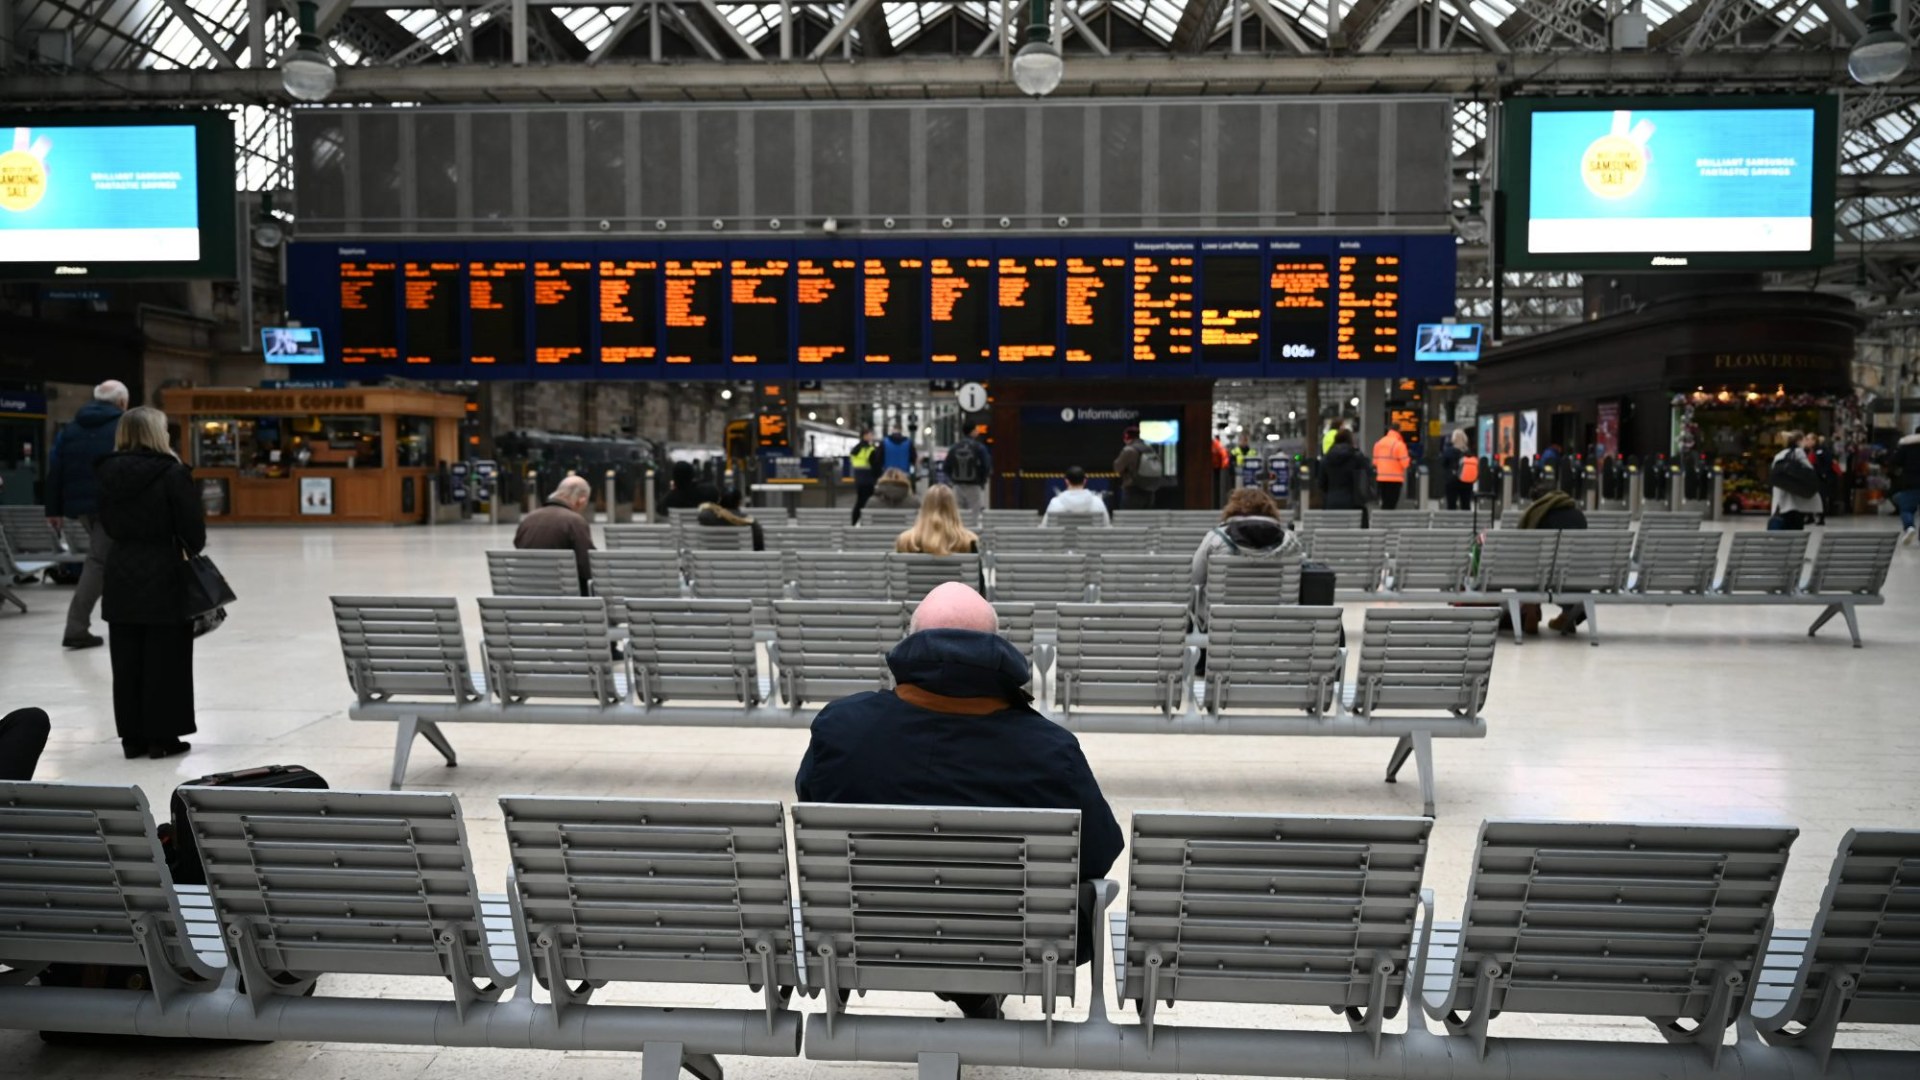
(880, 885)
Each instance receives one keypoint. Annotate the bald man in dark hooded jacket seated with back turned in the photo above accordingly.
(959, 731)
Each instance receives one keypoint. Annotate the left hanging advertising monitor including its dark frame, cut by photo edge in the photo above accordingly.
(116, 197)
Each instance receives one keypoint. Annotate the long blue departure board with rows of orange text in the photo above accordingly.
(1234, 308)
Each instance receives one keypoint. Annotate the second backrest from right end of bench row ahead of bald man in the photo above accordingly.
(1274, 658)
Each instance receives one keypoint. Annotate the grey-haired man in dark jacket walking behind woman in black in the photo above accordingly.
(74, 491)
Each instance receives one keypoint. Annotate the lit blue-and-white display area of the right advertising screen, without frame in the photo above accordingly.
(1679, 180)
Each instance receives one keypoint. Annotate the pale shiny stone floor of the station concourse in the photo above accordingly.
(1712, 716)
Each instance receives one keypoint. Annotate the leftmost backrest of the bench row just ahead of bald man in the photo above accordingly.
(404, 647)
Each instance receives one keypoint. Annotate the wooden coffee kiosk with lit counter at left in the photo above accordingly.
(287, 456)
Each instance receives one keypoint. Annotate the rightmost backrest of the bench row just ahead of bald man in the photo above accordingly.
(1426, 658)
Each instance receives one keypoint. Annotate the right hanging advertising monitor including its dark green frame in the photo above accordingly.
(1669, 184)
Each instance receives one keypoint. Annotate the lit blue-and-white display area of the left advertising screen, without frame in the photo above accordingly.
(101, 195)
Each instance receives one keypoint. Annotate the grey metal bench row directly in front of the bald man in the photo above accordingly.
(1422, 674)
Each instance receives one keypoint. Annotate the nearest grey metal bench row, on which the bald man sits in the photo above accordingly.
(1673, 923)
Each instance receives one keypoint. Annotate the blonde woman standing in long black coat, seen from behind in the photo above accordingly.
(153, 512)
